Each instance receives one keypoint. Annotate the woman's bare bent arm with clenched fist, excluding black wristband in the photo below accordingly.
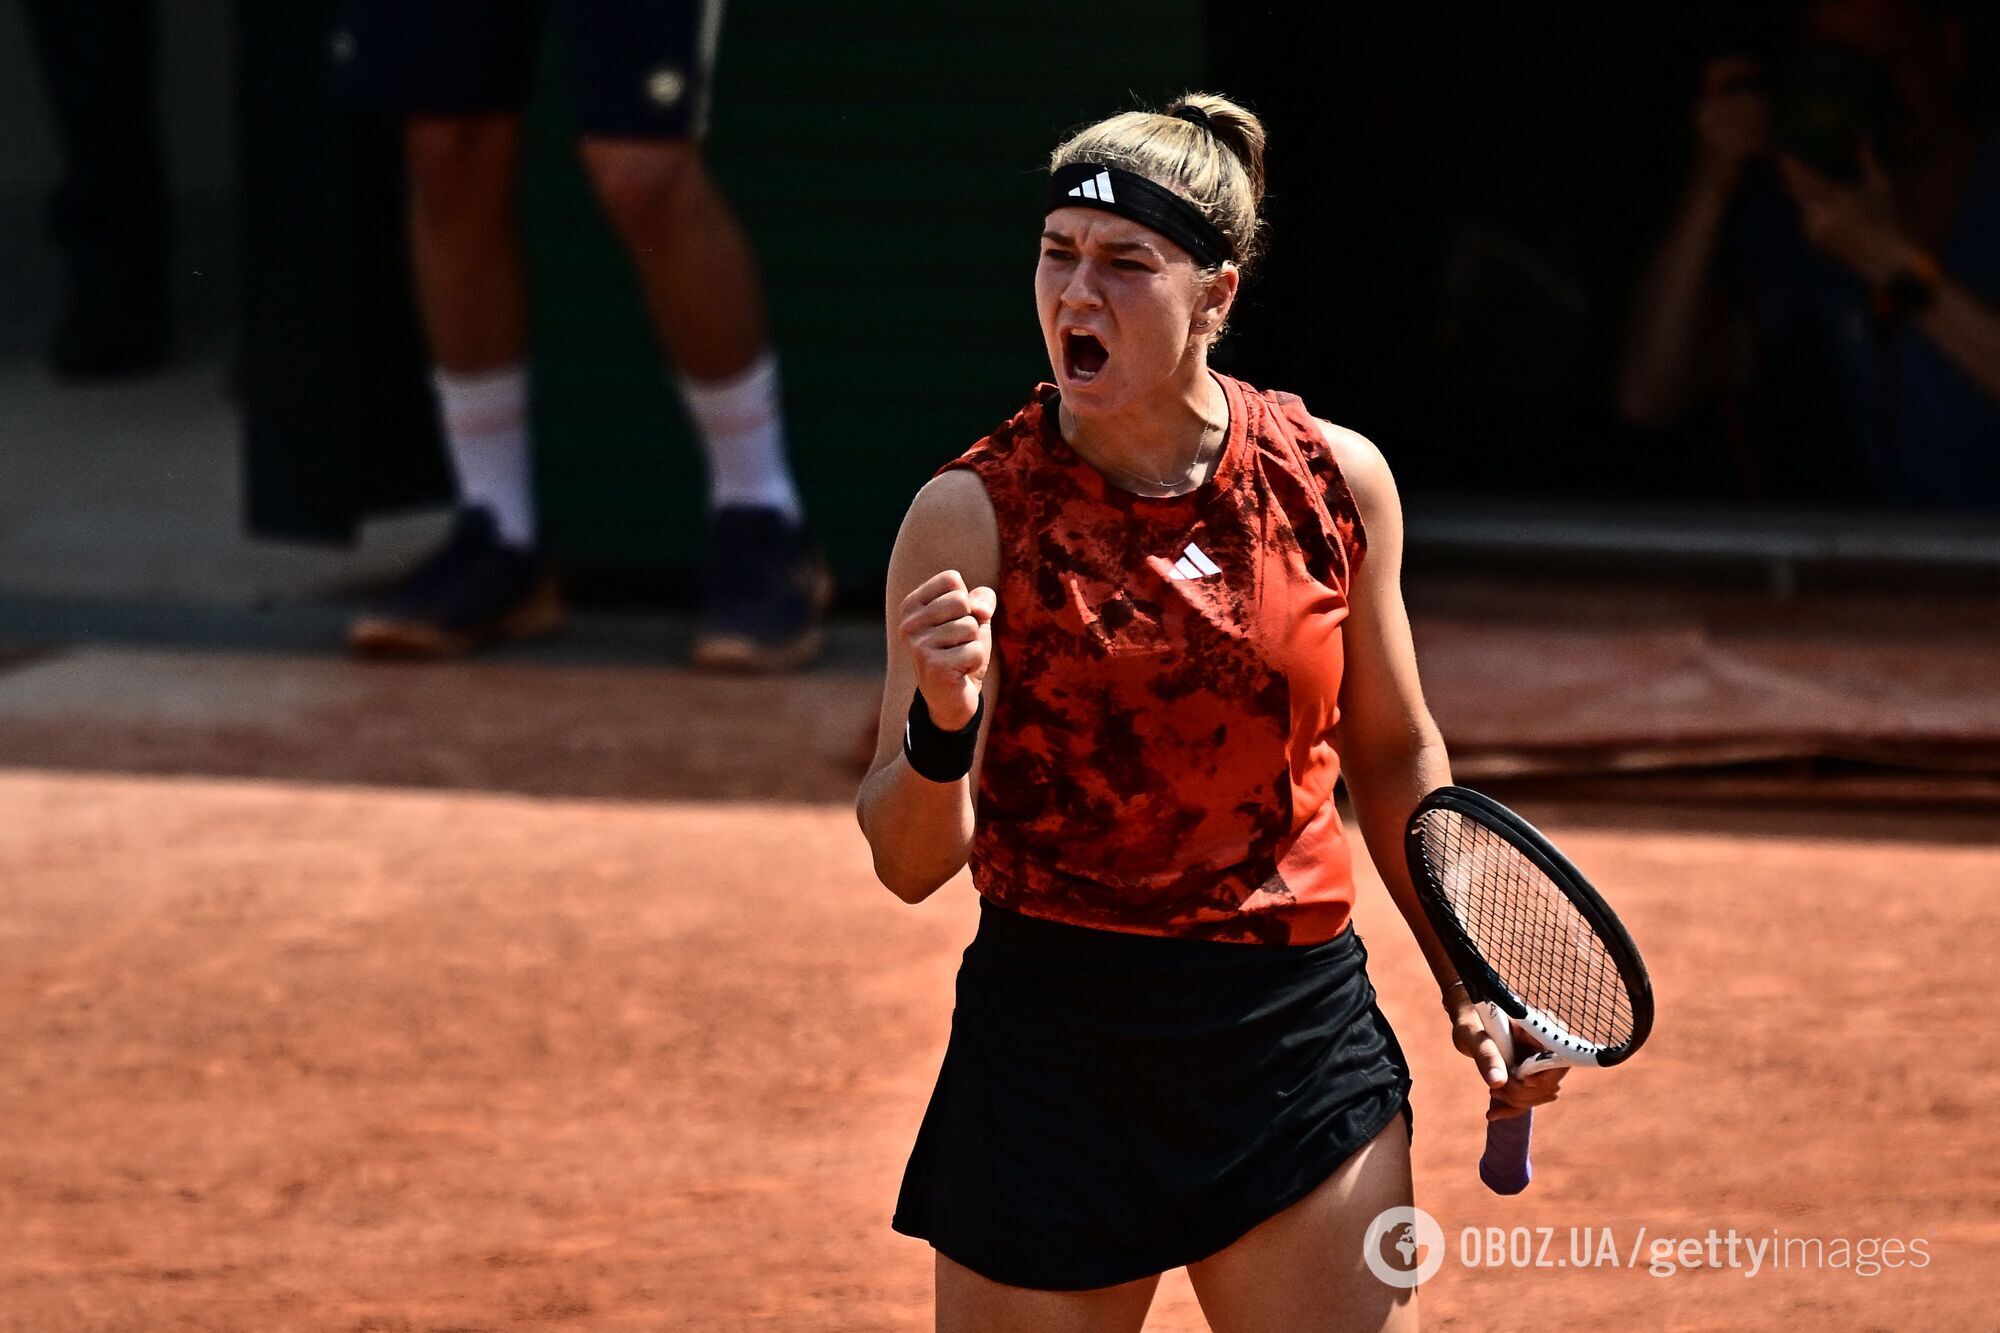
(939, 609)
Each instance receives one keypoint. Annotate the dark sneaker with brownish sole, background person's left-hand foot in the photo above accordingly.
(471, 593)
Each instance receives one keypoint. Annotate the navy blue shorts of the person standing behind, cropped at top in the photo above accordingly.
(637, 69)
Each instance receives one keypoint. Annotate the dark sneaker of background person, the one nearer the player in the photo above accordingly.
(767, 587)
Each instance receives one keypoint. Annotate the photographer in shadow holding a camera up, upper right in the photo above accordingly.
(1857, 205)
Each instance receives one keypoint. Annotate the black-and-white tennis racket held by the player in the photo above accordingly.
(1535, 946)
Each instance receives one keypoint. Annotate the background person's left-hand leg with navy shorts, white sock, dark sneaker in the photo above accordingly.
(459, 73)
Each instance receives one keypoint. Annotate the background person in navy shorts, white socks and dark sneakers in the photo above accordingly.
(639, 73)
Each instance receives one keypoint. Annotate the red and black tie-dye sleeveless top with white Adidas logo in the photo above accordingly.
(1161, 752)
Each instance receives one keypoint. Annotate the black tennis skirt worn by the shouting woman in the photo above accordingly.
(1117, 1106)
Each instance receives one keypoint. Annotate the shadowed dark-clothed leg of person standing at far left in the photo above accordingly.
(109, 213)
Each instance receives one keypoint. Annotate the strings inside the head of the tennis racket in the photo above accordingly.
(1529, 932)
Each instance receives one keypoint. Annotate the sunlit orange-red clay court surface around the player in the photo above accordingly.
(335, 1058)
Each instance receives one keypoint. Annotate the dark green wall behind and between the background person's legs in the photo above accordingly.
(887, 163)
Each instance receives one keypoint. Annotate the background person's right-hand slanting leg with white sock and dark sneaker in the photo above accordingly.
(639, 75)
